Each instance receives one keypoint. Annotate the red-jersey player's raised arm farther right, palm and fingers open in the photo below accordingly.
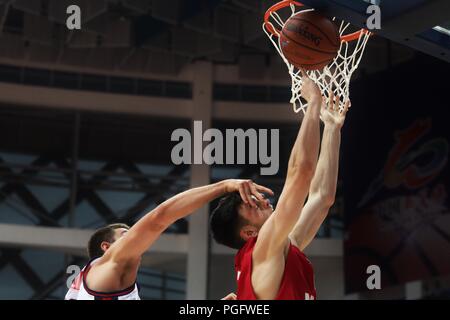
(323, 186)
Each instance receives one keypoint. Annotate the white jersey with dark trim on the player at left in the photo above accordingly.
(80, 291)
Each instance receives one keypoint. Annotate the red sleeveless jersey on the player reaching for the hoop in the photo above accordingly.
(298, 278)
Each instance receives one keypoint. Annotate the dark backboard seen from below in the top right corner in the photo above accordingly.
(423, 25)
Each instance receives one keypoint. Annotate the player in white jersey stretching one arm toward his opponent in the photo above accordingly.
(115, 250)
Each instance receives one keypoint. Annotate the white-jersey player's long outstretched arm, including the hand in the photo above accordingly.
(148, 229)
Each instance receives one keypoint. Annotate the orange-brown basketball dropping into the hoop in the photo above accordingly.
(309, 40)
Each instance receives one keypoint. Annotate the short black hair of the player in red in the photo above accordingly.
(225, 222)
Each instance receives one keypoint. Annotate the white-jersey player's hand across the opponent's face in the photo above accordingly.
(248, 190)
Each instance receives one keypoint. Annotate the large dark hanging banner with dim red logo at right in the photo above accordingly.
(397, 180)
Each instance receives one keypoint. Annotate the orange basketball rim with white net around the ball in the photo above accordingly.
(337, 74)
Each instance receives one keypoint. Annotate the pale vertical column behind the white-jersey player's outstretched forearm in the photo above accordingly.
(197, 266)
